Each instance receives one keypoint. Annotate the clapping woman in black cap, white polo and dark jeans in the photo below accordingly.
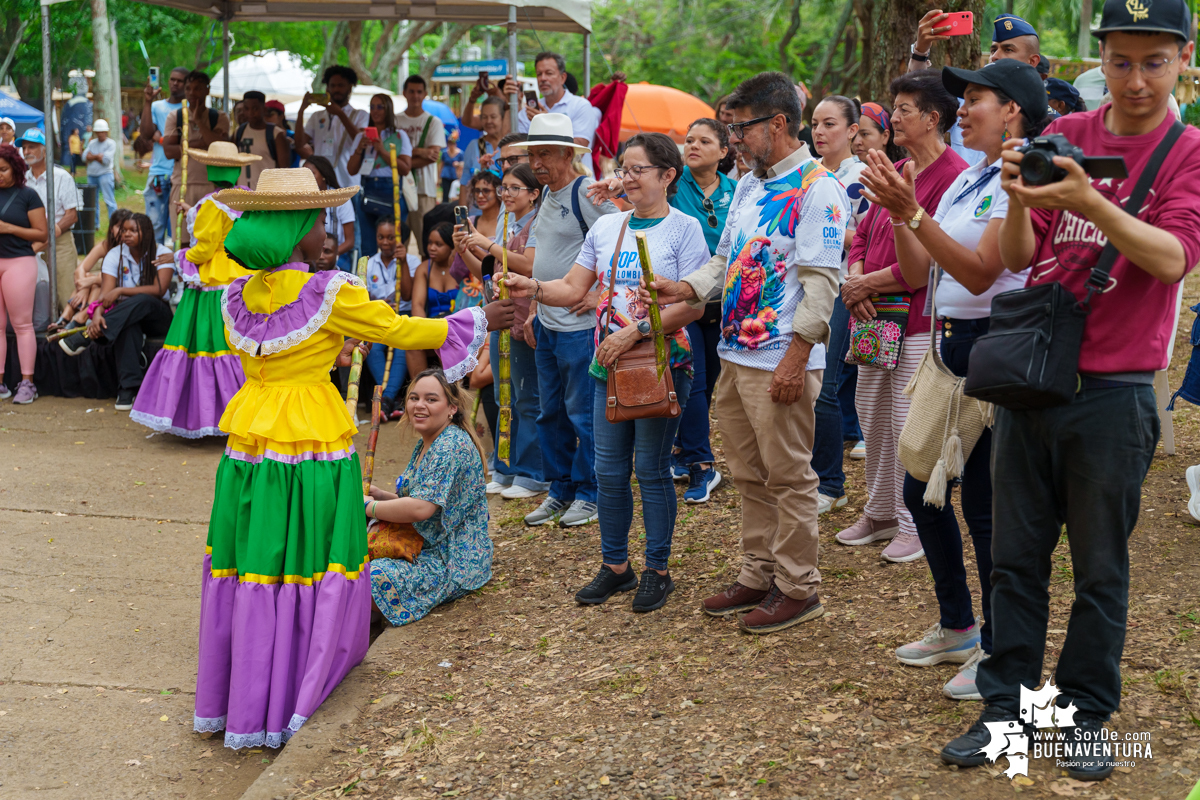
(1003, 100)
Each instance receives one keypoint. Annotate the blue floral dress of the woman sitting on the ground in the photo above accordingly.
(458, 554)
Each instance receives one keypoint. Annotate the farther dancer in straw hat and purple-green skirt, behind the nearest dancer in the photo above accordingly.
(195, 375)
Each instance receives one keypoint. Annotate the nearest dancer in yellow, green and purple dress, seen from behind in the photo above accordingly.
(286, 592)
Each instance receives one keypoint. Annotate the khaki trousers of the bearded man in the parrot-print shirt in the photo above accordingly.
(769, 448)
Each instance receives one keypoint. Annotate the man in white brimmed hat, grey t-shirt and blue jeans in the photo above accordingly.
(565, 335)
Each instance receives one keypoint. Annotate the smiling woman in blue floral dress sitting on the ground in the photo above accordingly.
(442, 496)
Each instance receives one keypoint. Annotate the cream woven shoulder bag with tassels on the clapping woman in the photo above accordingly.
(944, 425)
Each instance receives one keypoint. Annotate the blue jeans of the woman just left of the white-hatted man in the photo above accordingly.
(525, 454)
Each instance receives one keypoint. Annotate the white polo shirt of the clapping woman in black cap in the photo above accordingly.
(967, 208)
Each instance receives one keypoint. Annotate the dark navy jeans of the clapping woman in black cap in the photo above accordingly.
(938, 528)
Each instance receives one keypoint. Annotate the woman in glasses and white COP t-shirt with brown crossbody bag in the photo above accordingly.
(651, 171)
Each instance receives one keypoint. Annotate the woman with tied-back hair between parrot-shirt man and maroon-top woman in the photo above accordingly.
(835, 128)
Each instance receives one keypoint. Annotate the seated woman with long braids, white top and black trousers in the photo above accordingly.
(135, 279)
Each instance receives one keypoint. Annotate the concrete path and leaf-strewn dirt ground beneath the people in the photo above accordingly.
(517, 691)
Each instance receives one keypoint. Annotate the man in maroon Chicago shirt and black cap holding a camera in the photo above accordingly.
(1083, 465)
